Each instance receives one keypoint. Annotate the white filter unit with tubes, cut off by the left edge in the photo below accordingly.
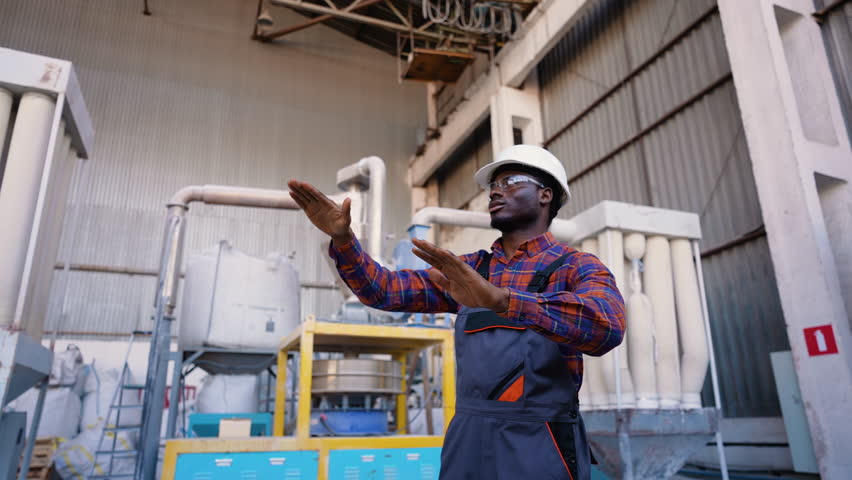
(45, 132)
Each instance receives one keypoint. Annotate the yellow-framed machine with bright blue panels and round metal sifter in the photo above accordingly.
(352, 393)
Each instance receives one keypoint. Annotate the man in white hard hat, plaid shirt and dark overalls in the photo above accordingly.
(527, 312)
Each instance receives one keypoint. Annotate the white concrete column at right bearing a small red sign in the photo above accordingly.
(801, 161)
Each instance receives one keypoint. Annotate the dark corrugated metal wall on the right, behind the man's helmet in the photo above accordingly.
(638, 102)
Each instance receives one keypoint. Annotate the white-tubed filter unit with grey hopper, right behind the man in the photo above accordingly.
(642, 402)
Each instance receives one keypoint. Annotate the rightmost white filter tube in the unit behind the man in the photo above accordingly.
(695, 357)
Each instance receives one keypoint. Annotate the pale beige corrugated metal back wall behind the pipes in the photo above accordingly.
(185, 97)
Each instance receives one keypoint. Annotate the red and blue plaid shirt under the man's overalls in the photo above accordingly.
(581, 309)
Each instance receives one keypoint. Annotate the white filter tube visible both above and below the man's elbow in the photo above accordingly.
(616, 365)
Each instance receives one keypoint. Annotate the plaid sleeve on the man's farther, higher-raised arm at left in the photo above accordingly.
(395, 291)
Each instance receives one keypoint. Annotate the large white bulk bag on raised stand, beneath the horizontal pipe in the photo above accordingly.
(233, 300)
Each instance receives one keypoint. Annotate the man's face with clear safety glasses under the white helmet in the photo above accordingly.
(513, 206)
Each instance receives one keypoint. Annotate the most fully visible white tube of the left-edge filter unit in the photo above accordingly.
(19, 195)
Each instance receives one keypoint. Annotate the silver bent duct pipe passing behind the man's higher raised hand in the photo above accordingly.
(369, 172)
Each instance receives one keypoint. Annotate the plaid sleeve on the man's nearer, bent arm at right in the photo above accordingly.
(588, 314)
